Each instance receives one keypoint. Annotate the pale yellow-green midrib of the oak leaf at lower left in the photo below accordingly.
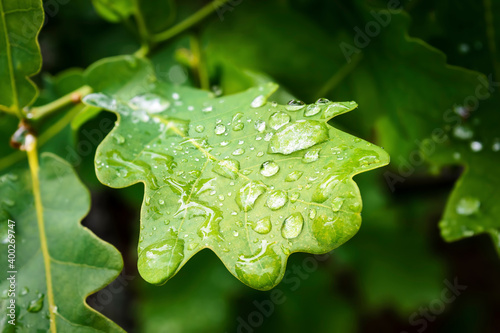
(32, 153)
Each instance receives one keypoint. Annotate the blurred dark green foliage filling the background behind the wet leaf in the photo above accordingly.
(415, 78)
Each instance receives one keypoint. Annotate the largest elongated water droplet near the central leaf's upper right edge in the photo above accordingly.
(299, 135)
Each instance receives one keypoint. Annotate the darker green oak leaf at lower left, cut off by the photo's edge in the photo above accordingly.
(80, 263)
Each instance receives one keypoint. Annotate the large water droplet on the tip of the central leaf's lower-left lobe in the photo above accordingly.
(159, 261)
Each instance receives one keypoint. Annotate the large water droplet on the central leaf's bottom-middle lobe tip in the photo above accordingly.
(260, 270)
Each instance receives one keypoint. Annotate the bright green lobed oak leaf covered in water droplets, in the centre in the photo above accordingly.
(251, 180)
